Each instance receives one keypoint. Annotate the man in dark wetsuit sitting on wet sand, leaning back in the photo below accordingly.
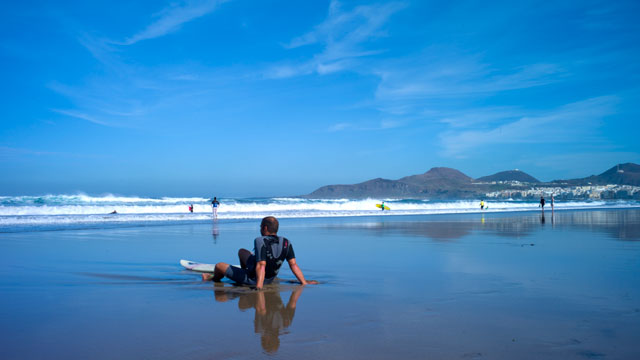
(261, 267)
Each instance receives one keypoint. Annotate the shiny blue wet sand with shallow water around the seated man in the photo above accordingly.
(505, 286)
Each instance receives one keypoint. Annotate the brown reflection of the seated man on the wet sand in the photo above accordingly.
(272, 317)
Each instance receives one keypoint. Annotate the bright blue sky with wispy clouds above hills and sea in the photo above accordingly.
(274, 98)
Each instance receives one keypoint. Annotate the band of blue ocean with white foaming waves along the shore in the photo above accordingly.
(77, 211)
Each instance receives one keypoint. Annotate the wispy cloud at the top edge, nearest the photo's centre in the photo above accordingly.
(343, 35)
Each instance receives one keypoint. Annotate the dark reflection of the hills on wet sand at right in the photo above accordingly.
(618, 224)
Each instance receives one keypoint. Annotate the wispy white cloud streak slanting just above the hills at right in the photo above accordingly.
(555, 127)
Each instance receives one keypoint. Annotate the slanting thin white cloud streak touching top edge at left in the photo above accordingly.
(172, 18)
